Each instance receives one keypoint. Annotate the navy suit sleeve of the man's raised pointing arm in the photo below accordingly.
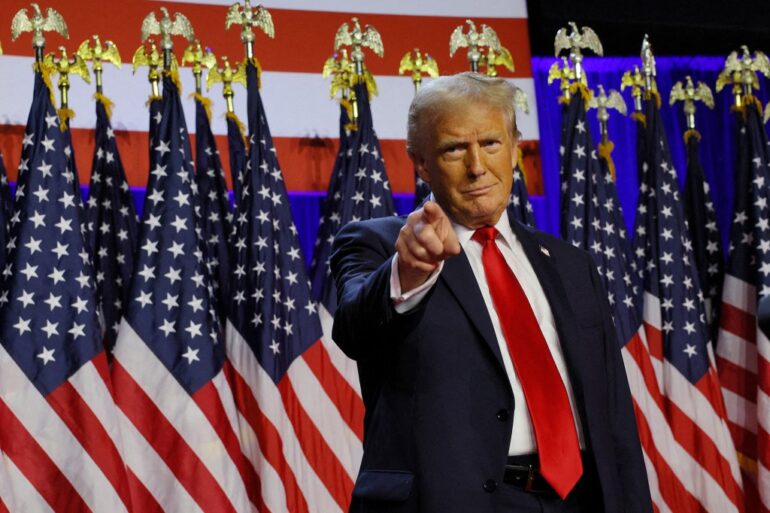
(366, 322)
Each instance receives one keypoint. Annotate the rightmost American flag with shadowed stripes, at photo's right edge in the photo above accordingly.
(743, 351)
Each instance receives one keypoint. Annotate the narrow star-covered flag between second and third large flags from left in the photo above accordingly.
(215, 211)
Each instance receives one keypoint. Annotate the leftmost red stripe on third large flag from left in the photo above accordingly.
(269, 440)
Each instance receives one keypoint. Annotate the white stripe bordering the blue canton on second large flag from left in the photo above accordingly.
(181, 411)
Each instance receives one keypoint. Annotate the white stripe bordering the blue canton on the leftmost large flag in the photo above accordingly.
(44, 425)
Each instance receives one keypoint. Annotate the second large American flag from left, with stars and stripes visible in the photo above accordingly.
(176, 410)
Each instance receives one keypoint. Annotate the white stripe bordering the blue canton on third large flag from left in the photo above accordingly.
(271, 405)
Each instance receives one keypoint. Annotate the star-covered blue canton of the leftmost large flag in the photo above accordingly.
(48, 319)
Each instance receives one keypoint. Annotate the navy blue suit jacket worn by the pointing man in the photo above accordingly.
(438, 400)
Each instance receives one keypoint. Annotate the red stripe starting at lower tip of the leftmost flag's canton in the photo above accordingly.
(90, 432)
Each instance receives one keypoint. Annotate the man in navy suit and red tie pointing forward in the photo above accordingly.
(489, 367)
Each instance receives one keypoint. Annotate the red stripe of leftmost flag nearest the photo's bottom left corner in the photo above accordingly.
(39, 469)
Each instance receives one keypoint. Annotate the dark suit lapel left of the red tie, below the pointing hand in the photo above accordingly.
(461, 281)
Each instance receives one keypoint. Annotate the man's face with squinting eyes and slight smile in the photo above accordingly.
(467, 158)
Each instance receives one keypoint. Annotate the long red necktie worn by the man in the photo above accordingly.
(549, 408)
